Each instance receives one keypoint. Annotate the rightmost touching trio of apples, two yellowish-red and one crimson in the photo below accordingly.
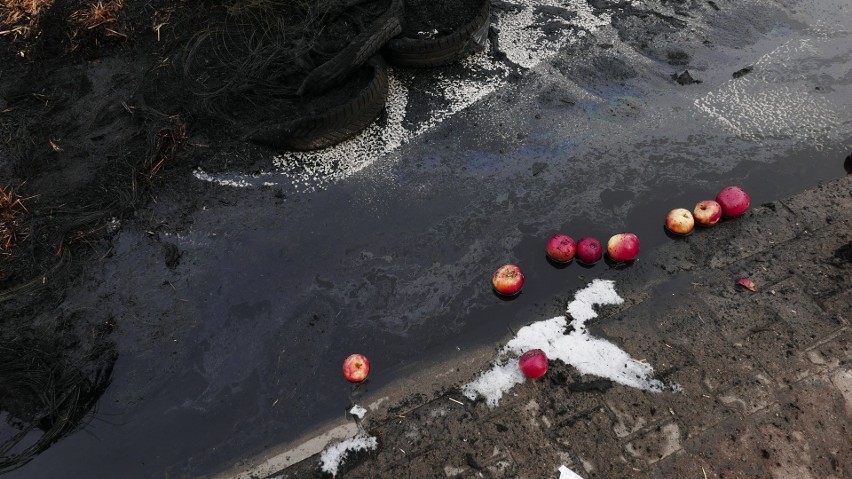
(732, 201)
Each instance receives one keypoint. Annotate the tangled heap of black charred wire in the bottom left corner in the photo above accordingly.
(50, 381)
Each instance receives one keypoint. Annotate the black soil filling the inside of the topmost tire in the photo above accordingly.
(423, 18)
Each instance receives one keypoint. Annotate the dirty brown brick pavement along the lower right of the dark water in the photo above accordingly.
(764, 378)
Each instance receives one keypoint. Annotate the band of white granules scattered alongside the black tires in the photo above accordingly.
(522, 39)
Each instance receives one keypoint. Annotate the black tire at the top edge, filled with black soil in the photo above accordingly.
(442, 50)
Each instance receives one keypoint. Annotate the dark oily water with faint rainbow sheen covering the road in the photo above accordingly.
(237, 348)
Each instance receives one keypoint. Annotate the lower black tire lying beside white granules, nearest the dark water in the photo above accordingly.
(325, 128)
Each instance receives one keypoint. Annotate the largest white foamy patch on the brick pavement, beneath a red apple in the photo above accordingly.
(589, 355)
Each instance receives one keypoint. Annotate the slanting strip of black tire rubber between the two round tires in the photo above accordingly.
(362, 48)
